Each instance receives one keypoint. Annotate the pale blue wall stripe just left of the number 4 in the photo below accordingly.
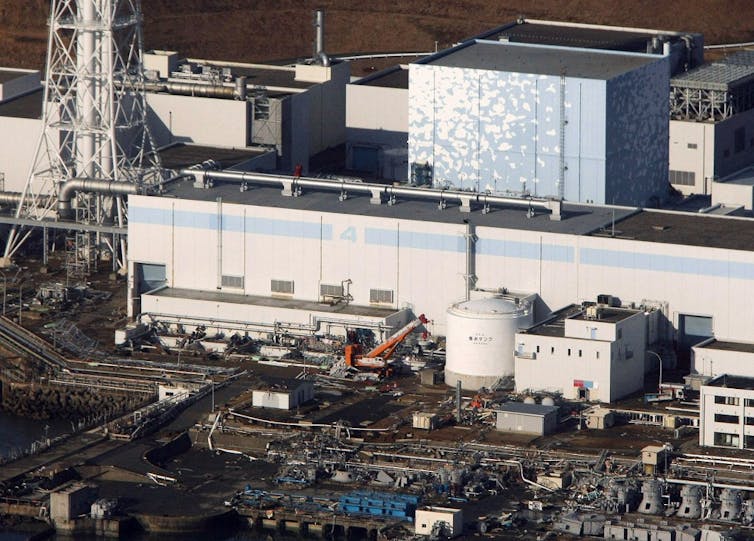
(234, 224)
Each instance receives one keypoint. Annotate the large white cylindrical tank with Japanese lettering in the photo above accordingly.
(480, 340)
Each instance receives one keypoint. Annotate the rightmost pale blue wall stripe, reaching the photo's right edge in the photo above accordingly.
(667, 263)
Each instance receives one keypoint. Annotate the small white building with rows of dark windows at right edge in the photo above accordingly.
(726, 412)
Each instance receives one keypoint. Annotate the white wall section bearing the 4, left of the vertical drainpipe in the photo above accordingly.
(309, 248)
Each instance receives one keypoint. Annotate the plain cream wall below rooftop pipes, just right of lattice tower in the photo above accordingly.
(203, 121)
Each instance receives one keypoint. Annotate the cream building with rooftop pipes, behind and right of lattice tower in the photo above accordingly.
(298, 110)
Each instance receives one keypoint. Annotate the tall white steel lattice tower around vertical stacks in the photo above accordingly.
(95, 140)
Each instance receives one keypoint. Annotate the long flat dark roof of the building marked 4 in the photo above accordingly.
(689, 229)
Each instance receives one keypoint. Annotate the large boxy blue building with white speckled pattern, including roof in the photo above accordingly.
(586, 125)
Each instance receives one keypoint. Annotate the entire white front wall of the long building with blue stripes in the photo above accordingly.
(313, 248)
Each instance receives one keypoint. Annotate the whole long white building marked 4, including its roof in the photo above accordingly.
(275, 259)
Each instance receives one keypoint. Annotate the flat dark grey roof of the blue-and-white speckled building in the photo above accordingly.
(538, 59)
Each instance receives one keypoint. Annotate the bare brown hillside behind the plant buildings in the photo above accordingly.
(254, 30)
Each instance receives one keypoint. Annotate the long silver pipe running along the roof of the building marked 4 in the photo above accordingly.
(555, 206)
